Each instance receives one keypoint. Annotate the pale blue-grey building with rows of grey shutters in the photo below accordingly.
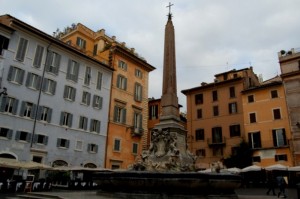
(57, 103)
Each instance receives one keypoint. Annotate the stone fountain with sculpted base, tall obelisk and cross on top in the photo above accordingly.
(167, 166)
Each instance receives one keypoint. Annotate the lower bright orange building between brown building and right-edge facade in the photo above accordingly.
(266, 123)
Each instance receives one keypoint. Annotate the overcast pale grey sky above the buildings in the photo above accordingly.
(212, 36)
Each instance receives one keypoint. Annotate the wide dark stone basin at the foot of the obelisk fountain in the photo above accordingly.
(167, 182)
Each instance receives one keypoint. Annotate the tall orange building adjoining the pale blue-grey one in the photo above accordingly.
(128, 115)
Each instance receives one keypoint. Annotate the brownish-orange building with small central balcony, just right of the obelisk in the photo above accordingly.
(215, 120)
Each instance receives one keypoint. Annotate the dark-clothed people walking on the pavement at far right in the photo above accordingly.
(280, 181)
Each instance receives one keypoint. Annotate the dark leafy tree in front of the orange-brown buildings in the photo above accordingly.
(242, 158)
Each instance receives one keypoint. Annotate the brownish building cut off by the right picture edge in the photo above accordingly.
(290, 74)
